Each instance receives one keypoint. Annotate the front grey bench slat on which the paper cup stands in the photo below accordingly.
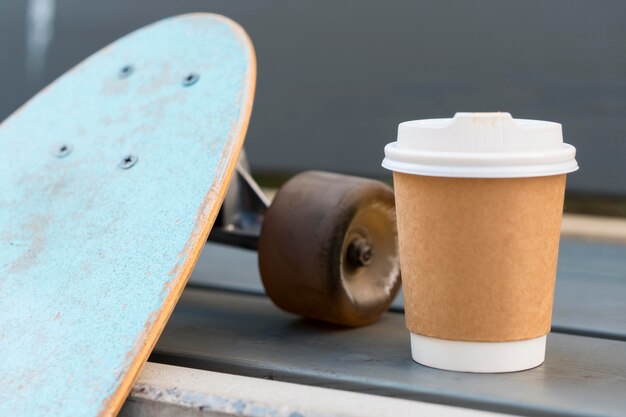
(247, 335)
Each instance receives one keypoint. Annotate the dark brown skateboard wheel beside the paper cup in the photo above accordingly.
(328, 248)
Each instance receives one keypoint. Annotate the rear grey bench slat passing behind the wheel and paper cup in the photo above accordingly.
(589, 300)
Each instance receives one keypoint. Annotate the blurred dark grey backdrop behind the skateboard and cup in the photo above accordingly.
(335, 77)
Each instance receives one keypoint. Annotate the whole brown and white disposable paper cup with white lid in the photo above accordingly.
(479, 201)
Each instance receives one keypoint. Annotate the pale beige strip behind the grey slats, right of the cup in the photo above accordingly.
(594, 228)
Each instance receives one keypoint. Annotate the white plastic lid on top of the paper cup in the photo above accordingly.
(480, 145)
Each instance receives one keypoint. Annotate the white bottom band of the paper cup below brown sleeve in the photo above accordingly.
(481, 357)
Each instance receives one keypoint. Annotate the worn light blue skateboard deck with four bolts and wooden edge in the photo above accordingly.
(110, 180)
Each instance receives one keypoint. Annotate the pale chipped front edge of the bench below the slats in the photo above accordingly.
(167, 390)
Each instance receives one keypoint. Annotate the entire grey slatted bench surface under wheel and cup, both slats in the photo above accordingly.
(225, 323)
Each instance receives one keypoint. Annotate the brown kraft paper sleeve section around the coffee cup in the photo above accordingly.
(479, 255)
